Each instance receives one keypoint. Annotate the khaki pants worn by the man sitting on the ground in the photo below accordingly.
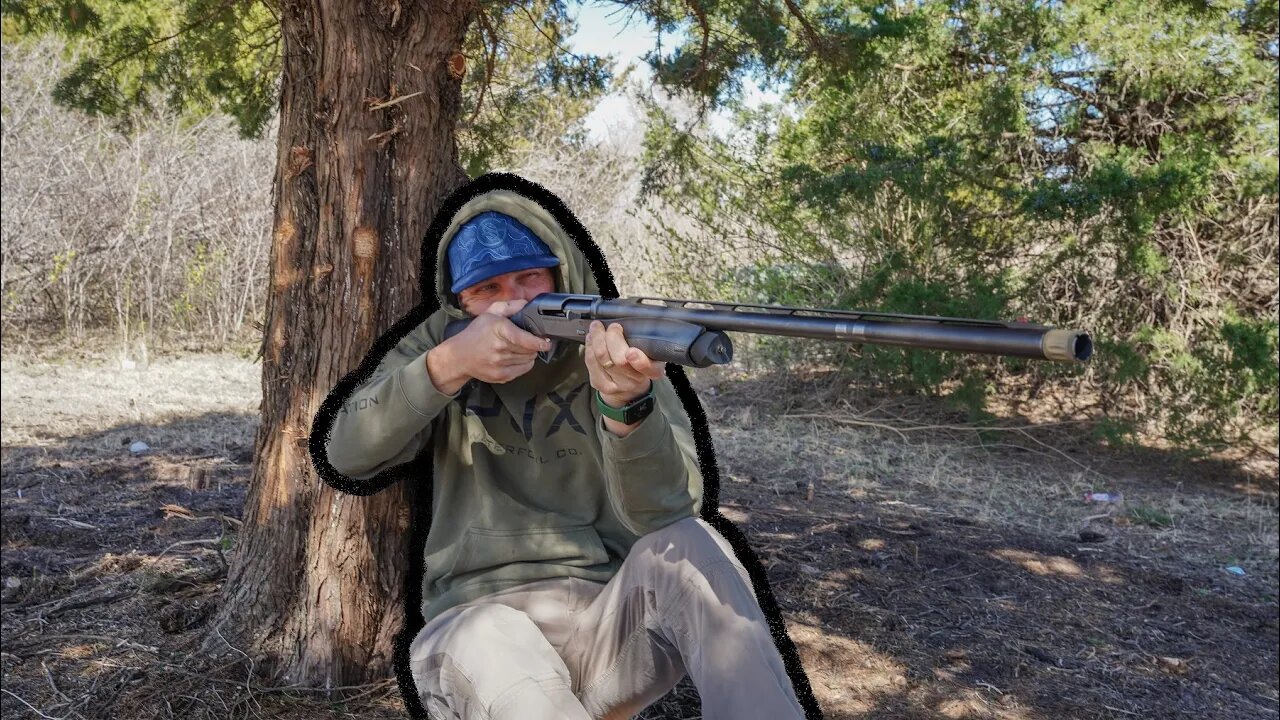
(573, 650)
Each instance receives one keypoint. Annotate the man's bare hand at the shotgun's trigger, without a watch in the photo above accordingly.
(492, 349)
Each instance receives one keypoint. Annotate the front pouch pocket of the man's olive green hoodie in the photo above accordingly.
(484, 549)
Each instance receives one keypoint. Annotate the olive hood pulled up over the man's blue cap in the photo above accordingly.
(574, 274)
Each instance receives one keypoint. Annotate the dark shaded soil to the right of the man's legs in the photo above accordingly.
(900, 612)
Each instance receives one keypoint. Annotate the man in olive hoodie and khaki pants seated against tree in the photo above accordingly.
(568, 575)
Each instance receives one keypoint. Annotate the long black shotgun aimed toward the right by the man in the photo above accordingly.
(693, 332)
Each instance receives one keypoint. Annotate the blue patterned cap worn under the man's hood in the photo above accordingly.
(492, 244)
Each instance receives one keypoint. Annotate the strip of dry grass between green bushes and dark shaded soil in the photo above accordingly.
(1032, 476)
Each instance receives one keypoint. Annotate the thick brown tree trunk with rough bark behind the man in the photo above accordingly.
(316, 590)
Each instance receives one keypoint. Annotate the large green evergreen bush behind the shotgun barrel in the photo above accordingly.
(1108, 166)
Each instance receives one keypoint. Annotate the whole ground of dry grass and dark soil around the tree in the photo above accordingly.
(926, 569)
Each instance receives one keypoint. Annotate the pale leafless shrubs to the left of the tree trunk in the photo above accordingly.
(157, 233)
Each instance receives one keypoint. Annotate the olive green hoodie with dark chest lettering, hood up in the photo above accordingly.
(528, 482)
